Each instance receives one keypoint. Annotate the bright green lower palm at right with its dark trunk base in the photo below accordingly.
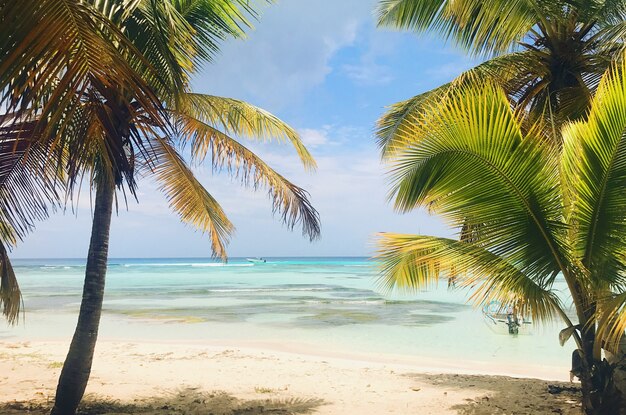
(545, 212)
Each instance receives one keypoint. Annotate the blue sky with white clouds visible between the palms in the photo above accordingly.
(324, 68)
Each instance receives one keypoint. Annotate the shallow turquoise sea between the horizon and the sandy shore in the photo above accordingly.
(327, 302)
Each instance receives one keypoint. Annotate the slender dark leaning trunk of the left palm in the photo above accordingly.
(77, 366)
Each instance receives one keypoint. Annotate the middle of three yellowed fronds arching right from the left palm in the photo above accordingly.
(289, 200)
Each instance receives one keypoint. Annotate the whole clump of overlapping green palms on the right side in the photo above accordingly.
(544, 65)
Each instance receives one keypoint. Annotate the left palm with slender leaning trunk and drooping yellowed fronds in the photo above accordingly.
(129, 111)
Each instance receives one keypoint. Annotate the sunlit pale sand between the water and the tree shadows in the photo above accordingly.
(357, 384)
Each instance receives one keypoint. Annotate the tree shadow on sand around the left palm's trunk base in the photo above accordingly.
(187, 401)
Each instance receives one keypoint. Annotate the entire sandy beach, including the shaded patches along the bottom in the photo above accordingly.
(176, 378)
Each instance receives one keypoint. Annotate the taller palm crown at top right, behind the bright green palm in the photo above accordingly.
(547, 55)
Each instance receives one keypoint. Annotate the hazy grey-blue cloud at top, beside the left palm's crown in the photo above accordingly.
(288, 53)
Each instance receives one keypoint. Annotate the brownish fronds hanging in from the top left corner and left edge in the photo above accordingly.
(52, 51)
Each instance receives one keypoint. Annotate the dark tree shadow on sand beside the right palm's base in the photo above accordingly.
(510, 396)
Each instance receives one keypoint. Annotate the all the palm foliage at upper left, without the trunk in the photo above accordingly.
(99, 90)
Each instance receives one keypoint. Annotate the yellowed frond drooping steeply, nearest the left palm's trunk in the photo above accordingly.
(187, 197)
